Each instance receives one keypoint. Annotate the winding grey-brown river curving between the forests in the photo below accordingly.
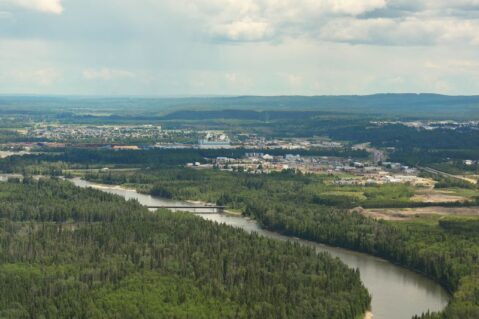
(397, 293)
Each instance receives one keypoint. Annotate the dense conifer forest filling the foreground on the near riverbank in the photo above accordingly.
(80, 253)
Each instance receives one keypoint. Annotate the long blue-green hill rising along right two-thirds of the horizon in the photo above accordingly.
(410, 105)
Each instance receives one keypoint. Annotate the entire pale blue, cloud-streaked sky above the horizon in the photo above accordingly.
(238, 47)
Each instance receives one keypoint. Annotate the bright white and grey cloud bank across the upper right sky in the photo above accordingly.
(375, 22)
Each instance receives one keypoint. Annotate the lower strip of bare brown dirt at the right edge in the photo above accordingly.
(404, 214)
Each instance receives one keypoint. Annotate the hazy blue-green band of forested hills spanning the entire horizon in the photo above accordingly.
(430, 105)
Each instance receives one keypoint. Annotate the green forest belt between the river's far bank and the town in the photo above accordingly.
(288, 203)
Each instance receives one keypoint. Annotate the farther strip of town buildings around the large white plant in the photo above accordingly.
(155, 136)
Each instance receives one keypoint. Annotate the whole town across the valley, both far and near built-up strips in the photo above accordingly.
(256, 160)
